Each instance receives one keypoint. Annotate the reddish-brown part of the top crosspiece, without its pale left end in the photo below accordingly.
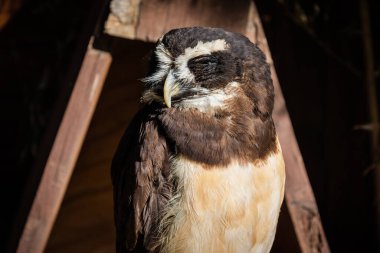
(158, 17)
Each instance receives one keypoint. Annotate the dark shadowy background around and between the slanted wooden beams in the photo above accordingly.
(328, 62)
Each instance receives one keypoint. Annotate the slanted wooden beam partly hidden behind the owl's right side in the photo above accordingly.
(299, 195)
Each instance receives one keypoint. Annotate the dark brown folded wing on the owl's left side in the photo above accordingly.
(141, 186)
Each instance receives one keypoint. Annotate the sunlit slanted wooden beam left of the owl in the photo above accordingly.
(65, 151)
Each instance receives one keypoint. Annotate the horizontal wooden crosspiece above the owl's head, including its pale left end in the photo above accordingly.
(155, 17)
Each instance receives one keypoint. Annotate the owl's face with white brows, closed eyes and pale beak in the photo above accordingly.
(196, 67)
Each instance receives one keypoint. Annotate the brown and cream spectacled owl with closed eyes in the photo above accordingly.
(200, 169)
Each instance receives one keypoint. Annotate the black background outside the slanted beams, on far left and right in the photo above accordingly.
(318, 53)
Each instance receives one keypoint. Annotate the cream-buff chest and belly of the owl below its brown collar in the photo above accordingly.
(231, 209)
